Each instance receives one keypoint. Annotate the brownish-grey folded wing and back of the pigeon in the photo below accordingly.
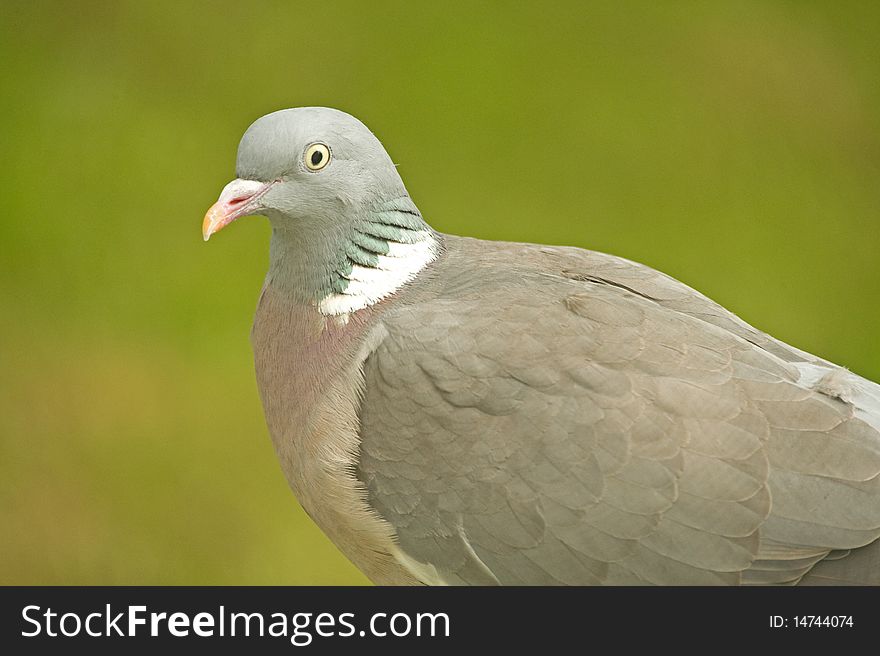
(558, 416)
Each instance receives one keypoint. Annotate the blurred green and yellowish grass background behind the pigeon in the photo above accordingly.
(734, 145)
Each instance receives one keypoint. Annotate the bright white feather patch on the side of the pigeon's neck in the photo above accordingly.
(369, 285)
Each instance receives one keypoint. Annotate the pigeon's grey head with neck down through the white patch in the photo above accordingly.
(336, 204)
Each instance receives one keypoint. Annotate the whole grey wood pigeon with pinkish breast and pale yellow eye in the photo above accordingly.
(454, 411)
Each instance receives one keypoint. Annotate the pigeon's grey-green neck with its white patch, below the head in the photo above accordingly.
(349, 265)
